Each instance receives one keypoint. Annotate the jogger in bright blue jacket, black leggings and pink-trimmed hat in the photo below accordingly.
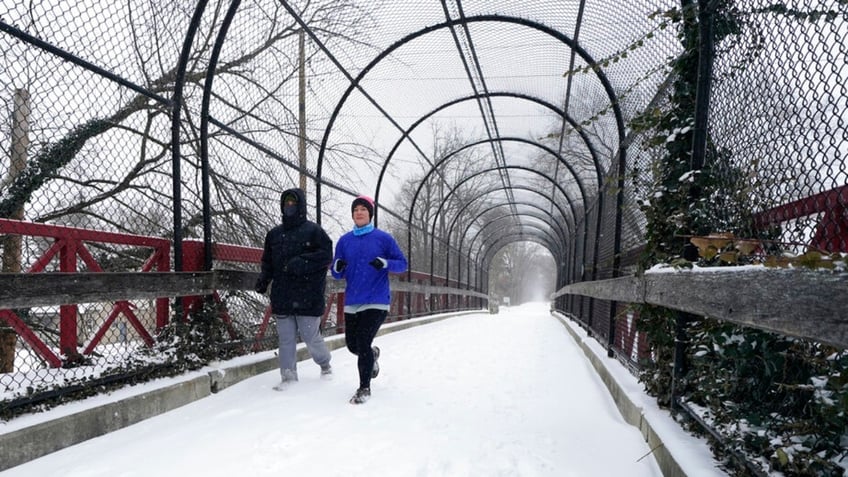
(364, 258)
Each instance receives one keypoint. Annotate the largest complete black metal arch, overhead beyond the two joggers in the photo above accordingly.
(449, 24)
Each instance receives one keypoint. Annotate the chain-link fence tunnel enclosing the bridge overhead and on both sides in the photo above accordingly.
(182, 123)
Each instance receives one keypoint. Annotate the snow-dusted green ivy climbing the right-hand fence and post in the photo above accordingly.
(776, 400)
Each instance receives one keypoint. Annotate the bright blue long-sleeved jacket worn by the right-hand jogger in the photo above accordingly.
(365, 284)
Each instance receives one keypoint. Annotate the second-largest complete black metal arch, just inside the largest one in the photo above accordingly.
(580, 131)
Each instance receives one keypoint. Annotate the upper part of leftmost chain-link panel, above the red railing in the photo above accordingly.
(101, 149)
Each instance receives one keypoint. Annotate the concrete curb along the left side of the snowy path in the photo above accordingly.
(23, 445)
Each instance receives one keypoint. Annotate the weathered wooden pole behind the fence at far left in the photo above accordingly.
(12, 243)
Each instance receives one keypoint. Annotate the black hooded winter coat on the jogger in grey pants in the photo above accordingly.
(295, 261)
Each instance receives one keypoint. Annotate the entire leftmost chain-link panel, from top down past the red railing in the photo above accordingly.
(85, 143)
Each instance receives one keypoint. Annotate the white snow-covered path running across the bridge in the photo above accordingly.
(509, 394)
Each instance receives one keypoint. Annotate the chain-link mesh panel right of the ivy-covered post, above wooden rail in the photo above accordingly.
(782, 140)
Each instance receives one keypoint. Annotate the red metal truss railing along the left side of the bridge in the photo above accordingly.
(69, 248)
